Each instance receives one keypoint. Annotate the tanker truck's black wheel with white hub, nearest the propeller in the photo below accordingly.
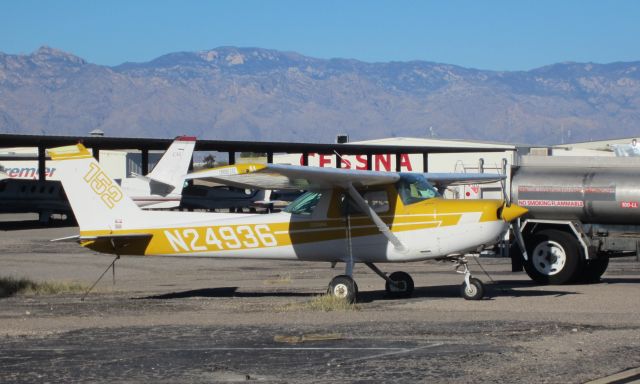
(553, 257)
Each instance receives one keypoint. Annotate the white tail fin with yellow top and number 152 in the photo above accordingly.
(97, 201)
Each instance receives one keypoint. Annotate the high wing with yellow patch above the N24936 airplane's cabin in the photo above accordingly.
(277, 176)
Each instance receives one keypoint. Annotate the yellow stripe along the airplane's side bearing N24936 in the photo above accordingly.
(234, 237)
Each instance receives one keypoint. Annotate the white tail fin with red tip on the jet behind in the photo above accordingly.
(174, 164)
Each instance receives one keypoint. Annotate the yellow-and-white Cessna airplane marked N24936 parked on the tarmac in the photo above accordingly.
(346, 216)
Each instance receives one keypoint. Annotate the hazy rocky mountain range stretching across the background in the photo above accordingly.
(231, 93)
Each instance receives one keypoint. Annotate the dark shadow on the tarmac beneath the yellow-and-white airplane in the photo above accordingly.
(500, 289)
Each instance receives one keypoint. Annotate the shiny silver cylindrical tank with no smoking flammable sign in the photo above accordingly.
(606, 192)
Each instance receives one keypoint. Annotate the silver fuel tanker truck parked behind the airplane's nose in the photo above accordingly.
(582, 212)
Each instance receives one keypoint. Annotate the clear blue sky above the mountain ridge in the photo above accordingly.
(498, 35)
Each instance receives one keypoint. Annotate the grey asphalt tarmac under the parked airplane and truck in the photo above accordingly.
(203, 320)
